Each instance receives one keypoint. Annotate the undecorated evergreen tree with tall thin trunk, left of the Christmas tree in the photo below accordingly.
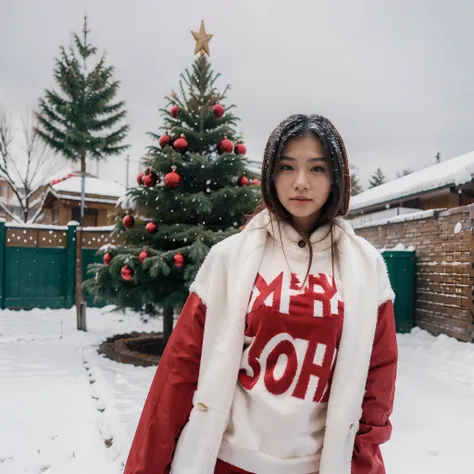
(81, 118)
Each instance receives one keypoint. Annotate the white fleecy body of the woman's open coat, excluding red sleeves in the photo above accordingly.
(224, 283)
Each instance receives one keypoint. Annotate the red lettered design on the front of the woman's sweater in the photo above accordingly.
(293, 352)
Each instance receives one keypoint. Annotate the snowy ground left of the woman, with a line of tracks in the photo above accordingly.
(60, 400)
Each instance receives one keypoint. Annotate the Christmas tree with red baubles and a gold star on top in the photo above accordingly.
(196, 190)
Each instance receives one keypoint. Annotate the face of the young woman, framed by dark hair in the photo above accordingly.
(303, 180)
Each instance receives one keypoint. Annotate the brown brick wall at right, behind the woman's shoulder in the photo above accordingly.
(444, 280)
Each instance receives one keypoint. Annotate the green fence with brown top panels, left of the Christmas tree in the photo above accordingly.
(37, 265)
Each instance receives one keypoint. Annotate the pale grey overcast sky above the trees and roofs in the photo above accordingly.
(396, 78)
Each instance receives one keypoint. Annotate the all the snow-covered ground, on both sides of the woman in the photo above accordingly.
(64, 409)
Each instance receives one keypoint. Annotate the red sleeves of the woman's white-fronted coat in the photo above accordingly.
(169, 400)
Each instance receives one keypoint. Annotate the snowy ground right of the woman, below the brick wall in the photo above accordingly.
(433, 412)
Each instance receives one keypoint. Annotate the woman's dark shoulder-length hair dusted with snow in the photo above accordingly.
(337, 204)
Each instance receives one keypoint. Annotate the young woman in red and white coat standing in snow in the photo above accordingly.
(283, 360)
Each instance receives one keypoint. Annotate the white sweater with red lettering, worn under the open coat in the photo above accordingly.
(278, 414)
